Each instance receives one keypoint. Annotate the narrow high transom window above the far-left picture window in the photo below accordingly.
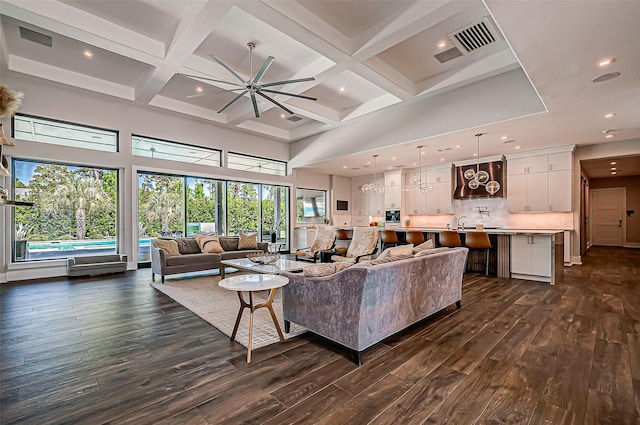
(54, 132)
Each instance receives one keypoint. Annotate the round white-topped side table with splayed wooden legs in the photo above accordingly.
(251, 283)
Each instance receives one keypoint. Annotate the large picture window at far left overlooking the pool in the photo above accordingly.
(75, 210)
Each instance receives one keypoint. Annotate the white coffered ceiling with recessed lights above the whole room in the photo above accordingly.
(372, 61)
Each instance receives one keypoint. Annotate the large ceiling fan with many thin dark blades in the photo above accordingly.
(253, 86)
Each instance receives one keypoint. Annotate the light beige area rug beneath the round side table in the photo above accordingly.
(219, 307)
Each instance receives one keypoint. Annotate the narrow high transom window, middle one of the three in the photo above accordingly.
(173, 151)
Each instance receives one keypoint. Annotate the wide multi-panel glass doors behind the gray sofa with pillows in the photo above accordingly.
(174, 206)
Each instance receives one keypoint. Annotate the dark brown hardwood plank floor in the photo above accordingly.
(114, 350)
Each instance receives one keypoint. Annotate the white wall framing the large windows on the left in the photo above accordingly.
(56, 101)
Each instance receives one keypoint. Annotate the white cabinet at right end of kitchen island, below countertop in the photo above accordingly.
(531, 257)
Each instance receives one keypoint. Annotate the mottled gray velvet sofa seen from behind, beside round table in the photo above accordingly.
(368, 302)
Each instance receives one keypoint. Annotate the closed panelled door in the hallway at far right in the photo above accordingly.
(607, 216)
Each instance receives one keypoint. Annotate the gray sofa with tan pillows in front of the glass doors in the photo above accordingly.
(191, 259)
